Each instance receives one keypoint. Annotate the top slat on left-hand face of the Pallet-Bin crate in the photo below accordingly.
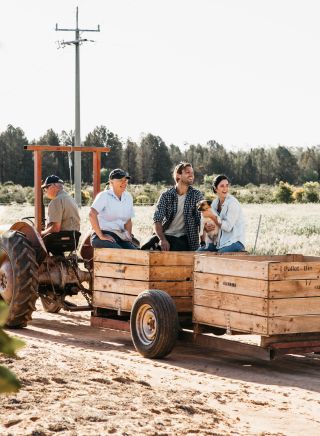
(235, 266)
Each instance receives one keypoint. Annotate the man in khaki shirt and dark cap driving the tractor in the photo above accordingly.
(63, 213)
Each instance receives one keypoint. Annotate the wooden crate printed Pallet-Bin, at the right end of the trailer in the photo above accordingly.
(265, 295)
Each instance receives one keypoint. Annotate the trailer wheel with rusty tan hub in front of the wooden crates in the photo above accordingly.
(154, 324)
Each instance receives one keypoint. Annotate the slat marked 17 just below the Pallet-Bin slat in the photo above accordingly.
(294, 288)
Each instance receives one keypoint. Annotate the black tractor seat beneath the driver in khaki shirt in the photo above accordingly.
(60, 242)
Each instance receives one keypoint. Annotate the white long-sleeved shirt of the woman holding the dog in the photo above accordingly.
(232, 221)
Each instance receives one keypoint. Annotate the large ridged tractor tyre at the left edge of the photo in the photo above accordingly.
(18, 278)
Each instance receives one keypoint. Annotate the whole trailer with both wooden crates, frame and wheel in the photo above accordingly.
(162, 296)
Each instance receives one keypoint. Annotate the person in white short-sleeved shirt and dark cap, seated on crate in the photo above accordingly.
(111, 213)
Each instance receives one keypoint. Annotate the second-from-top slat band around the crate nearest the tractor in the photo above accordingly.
(139, 272)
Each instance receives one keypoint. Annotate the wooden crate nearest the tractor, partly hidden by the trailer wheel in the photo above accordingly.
(121, 275)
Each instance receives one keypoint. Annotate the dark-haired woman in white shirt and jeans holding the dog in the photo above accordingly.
(227, 214)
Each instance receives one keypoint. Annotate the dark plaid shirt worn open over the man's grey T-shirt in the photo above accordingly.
(166, 210)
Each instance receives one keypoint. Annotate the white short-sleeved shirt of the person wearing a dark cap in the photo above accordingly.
(113, 213)
